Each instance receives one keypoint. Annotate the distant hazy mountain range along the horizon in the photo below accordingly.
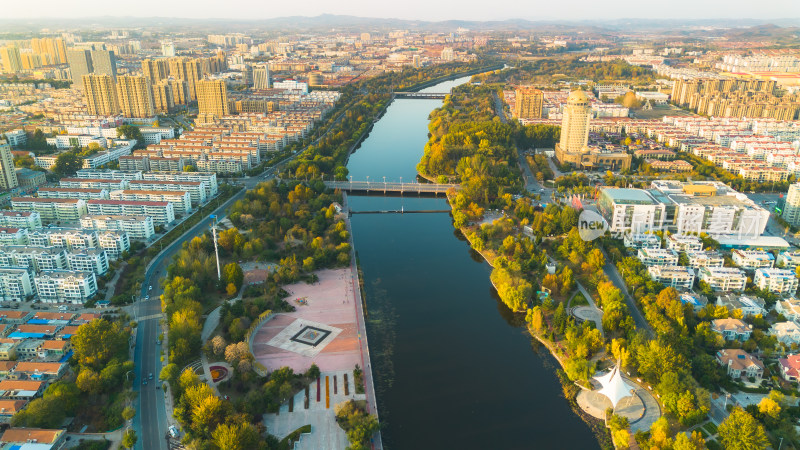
(352, 23)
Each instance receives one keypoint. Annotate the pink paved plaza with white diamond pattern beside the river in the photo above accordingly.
(323, 329)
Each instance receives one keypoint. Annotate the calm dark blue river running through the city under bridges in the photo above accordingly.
(453, 367)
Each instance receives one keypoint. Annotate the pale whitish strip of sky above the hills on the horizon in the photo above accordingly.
(419, 10)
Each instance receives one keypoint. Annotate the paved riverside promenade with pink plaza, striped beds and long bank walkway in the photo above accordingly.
(328, 329)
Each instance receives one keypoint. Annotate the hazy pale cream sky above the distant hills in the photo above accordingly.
(409, 9)
